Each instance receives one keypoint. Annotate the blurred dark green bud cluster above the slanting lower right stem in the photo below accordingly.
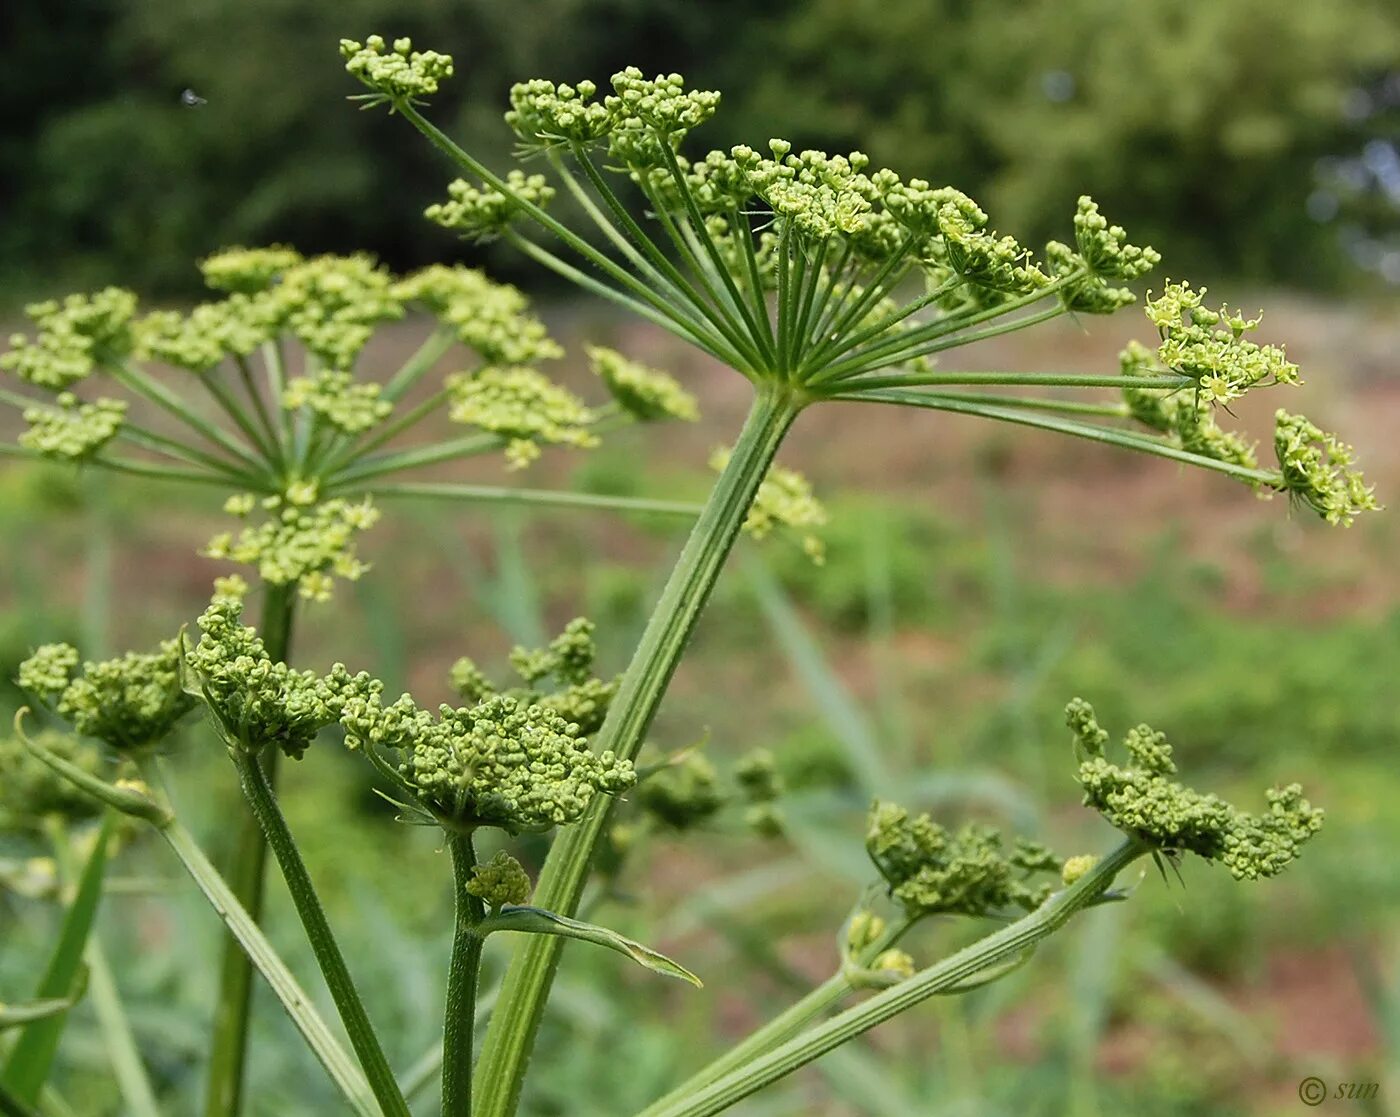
(932, 871)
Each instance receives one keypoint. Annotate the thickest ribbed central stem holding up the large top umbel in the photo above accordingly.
(512, 1035)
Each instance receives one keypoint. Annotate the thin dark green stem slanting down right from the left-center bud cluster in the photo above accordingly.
(332, 964)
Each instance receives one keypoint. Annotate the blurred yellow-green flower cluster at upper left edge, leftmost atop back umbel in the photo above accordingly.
(73, 338)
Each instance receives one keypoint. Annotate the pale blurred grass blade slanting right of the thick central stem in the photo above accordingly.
(821, 681)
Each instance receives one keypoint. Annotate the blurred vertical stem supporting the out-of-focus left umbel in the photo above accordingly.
(229, 1046)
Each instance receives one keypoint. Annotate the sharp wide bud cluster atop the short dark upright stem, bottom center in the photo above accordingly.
(498, 764)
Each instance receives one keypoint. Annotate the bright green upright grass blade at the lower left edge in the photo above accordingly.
(33, 1055)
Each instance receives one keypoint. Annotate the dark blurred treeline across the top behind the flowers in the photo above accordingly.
(1199, 124)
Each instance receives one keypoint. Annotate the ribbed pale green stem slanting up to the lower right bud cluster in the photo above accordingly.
(986, 954)
